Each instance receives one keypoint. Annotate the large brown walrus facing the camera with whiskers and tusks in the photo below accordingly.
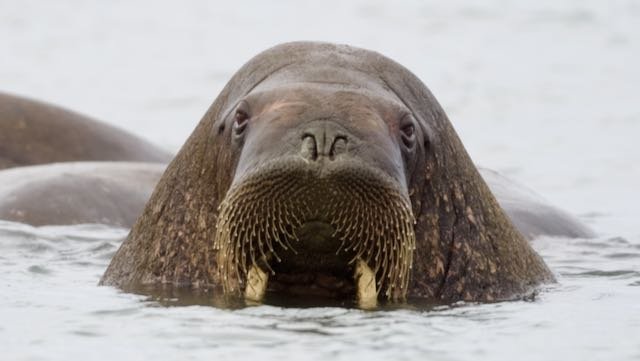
(327, 171)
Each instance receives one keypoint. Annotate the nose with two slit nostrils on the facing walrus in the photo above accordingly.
(323, 140)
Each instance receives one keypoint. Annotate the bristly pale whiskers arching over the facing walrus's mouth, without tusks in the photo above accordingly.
(361, 223)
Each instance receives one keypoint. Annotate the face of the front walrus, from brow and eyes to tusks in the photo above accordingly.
(319, 202)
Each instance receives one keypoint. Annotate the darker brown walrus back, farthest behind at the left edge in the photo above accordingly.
(33, 132)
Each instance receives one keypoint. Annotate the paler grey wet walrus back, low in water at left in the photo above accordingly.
(111, 193)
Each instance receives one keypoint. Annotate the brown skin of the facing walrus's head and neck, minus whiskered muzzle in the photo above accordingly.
(465, 246)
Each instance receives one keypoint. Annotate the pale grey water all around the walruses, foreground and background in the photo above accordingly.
(544, 91)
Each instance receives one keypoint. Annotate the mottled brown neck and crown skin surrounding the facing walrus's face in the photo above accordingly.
(466, 247)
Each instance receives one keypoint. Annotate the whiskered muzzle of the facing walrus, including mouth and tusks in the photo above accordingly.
(297, 227)
